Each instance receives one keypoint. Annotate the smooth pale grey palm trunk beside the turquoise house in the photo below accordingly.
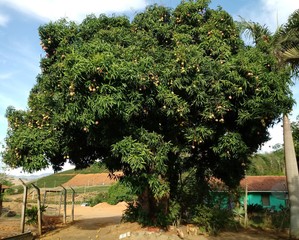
(292, 178)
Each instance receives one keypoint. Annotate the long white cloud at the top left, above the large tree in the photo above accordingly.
(73, 10)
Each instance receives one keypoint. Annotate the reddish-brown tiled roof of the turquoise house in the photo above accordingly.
(265, 183)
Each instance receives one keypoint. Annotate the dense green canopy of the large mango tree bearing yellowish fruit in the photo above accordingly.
(171, 90)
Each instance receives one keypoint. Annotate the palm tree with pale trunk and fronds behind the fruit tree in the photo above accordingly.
(285, 46)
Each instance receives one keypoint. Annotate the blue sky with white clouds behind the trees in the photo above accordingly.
(20, 51)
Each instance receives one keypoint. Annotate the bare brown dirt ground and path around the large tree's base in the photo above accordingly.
(103, 221)
